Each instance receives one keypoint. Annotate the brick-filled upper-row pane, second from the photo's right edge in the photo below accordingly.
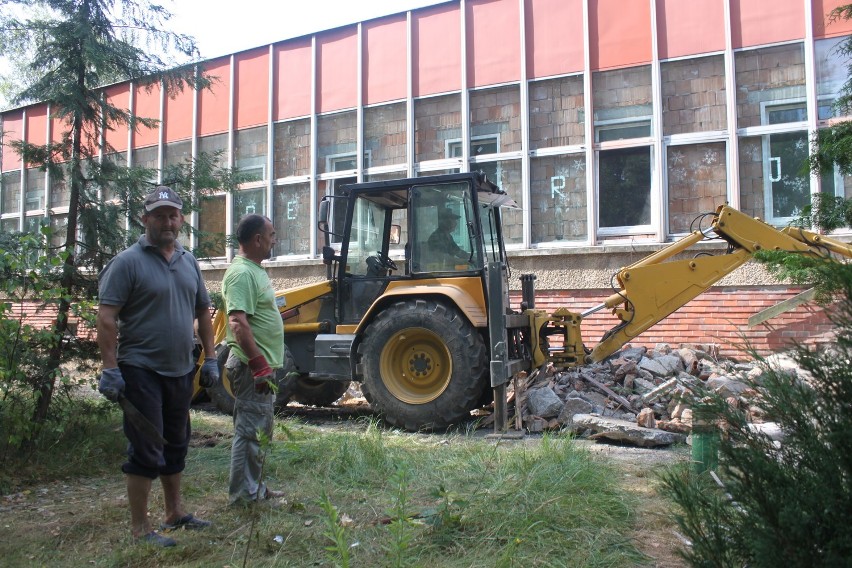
(766, 76)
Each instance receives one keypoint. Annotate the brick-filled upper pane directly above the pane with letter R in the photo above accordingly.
(556, 112)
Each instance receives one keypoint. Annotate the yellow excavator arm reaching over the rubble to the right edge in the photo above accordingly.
(648, 291)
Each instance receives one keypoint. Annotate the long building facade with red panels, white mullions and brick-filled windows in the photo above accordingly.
(614, 123)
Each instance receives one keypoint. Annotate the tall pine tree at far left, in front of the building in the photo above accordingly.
(77, 46)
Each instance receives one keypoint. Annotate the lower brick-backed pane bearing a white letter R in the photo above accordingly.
(558, 191)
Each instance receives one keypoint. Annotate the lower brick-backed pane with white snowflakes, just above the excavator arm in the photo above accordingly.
(697, 179)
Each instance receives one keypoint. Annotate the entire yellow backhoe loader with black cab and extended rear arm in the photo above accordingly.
(434, 337)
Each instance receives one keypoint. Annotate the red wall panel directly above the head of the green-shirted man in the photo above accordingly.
(251, 95)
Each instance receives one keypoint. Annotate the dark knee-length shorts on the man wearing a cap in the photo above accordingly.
(165, 402)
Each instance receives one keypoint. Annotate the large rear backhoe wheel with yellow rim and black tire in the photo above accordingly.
(423, 366)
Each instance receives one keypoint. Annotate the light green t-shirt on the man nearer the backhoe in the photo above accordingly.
(246, 288)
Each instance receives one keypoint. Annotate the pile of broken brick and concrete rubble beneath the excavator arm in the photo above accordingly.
(638, 396)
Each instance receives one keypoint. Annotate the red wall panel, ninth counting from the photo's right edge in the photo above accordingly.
(337, 70)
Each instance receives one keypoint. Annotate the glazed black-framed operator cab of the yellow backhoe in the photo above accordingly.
(445, 226)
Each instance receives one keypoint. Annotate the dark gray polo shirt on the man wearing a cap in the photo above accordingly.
(158, 302)
